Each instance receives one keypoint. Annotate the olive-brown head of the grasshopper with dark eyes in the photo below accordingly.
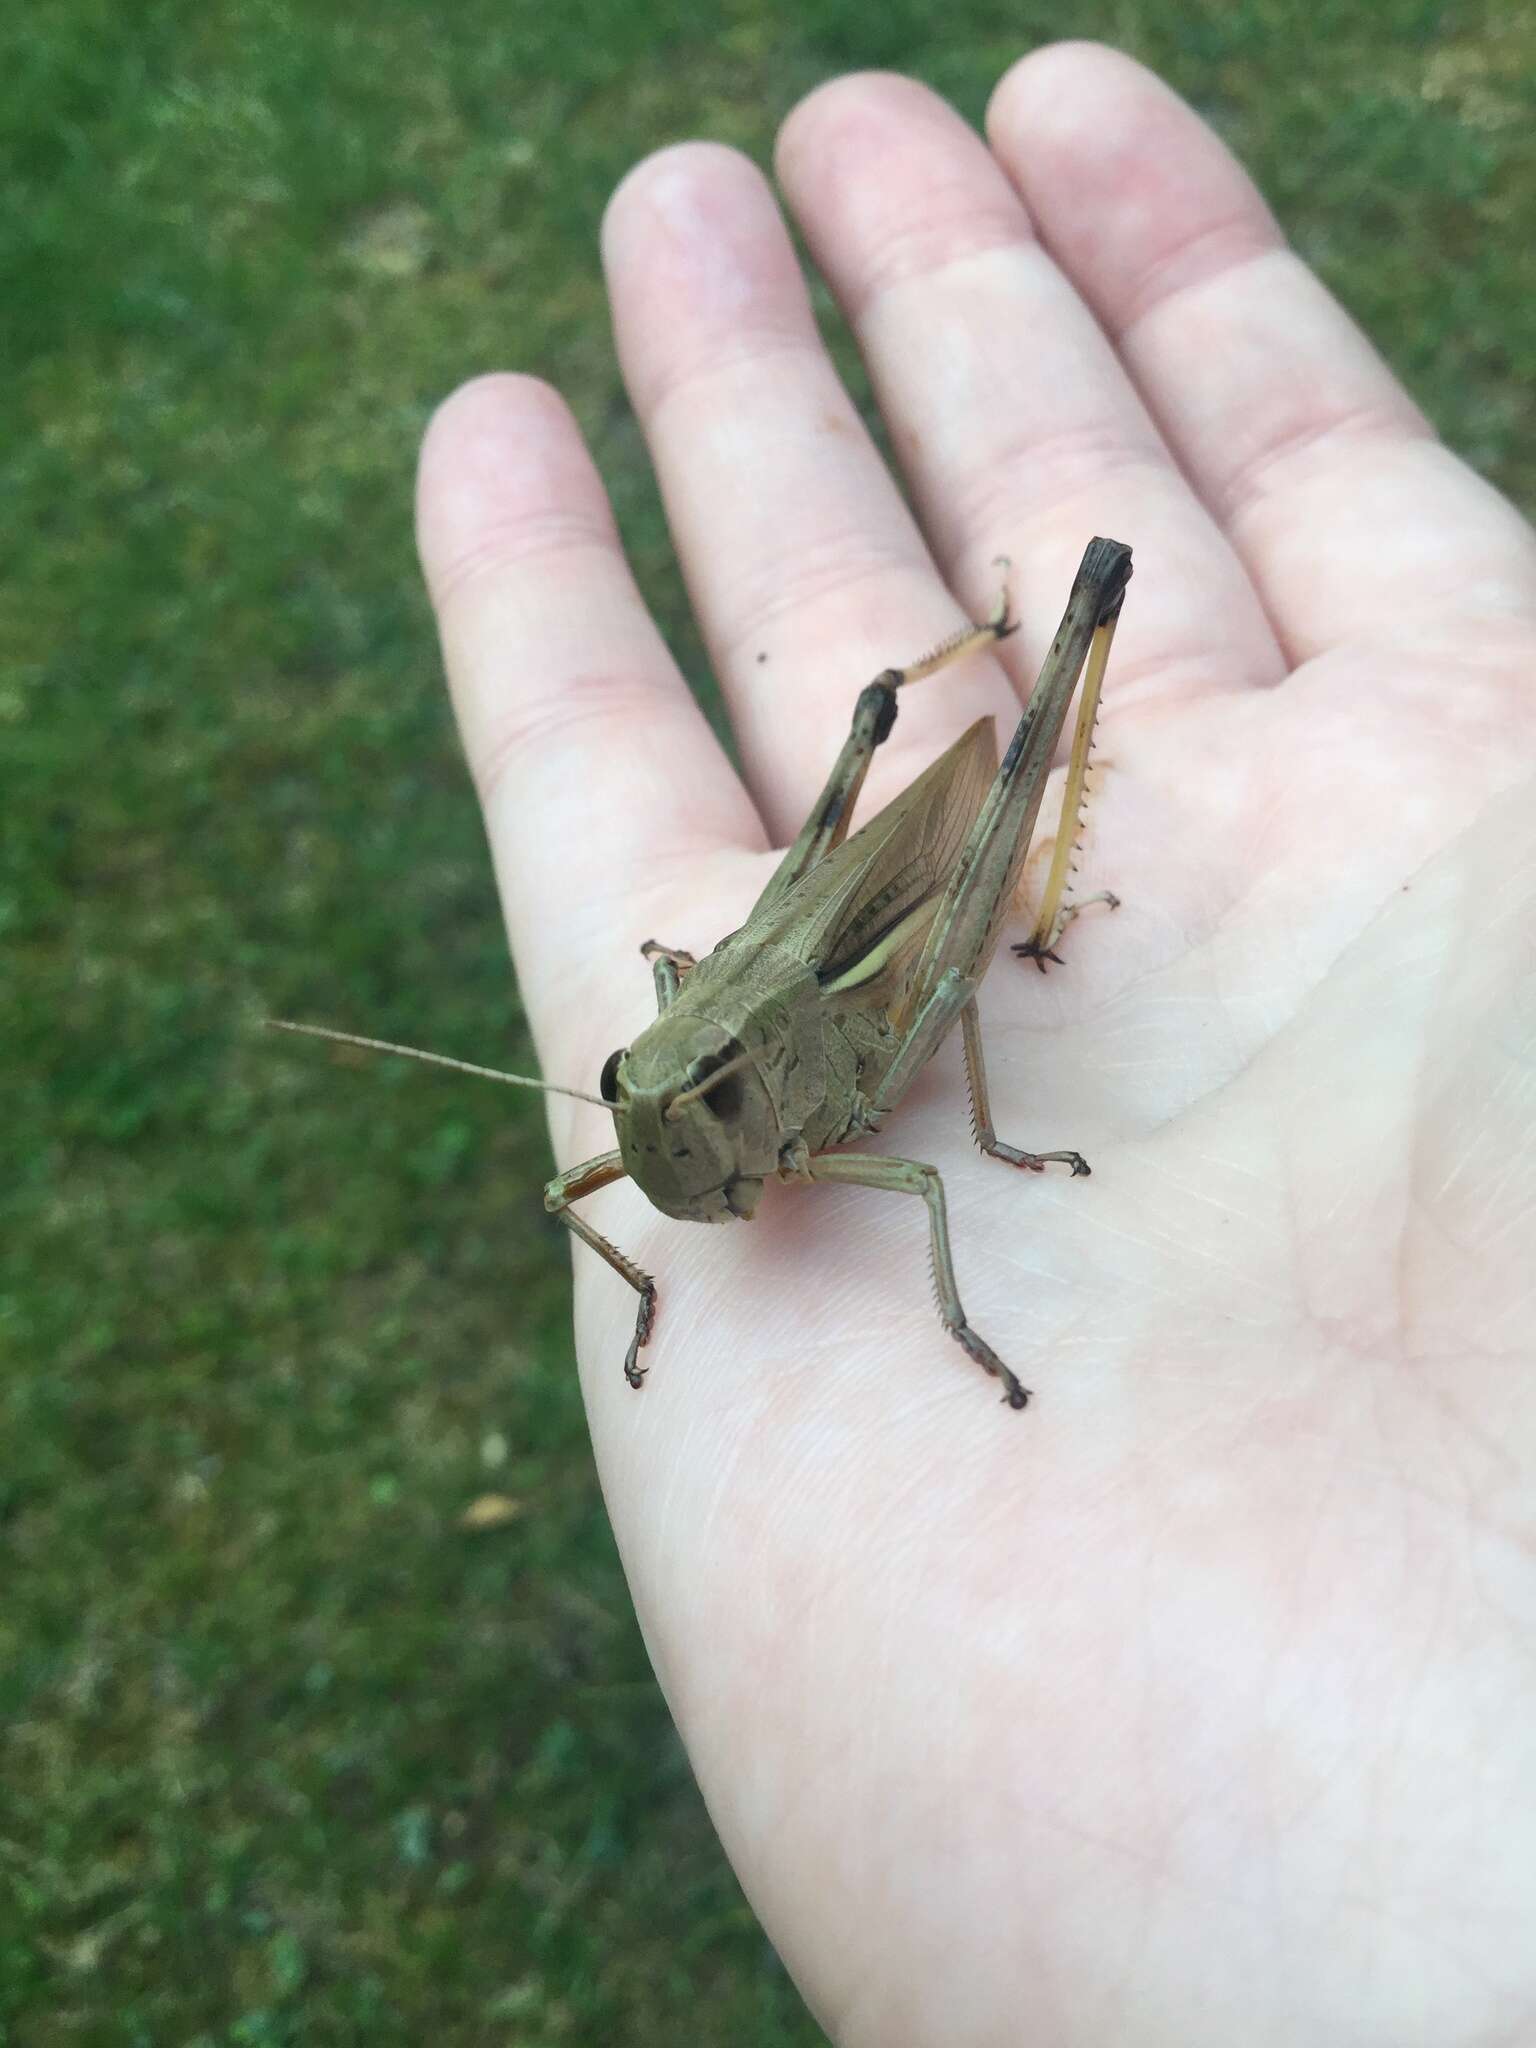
(697, 1125)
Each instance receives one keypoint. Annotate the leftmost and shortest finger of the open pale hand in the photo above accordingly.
(593, 763)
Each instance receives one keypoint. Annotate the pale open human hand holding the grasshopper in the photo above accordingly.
(1195, 1705)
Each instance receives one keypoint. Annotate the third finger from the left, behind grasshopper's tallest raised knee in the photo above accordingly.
(1013, 419)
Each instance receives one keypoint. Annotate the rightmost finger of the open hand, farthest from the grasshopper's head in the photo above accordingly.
(1340, 501)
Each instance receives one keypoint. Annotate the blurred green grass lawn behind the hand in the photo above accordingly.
(288, 1754)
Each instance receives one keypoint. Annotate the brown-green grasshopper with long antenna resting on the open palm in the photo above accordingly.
(800, 1033)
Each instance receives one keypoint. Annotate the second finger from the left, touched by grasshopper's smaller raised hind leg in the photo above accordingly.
(806, 568)
